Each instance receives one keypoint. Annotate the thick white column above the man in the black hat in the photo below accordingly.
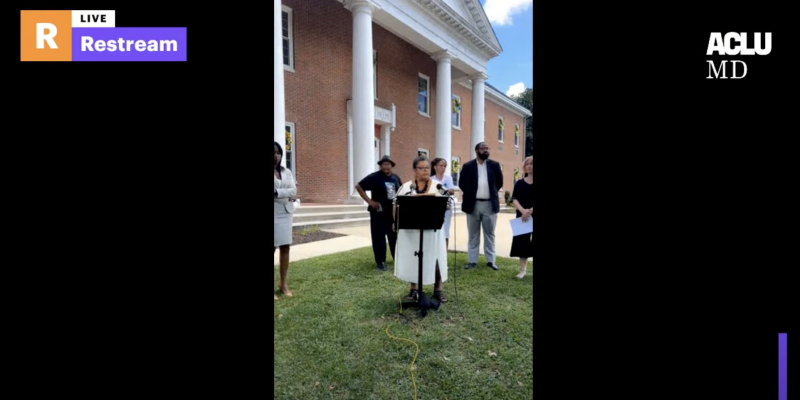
(363, 104)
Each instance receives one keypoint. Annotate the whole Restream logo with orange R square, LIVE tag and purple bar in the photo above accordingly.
(92, 35)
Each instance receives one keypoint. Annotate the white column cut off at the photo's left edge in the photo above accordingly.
(279, 106)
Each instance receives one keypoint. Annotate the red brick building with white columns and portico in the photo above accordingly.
(356, 80)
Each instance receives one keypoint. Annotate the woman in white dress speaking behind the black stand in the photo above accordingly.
(433, 246)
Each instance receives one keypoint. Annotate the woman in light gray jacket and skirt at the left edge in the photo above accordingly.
(283, 208)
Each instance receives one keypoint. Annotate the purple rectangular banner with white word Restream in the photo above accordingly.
(128, 44)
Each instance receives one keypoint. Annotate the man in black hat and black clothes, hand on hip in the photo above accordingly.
(384, 185)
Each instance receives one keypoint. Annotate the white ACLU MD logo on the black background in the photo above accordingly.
(724, 46)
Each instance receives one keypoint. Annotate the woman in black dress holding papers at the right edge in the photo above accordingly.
(522, 197)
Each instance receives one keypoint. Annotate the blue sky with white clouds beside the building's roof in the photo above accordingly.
(512, 71)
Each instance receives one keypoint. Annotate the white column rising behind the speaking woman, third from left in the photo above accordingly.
(444, 87)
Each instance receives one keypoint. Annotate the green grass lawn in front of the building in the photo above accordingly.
(331, 343)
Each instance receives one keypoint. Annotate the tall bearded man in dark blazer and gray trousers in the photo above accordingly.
(480, 180)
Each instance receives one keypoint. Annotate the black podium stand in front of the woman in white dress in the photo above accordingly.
(421, 213)
